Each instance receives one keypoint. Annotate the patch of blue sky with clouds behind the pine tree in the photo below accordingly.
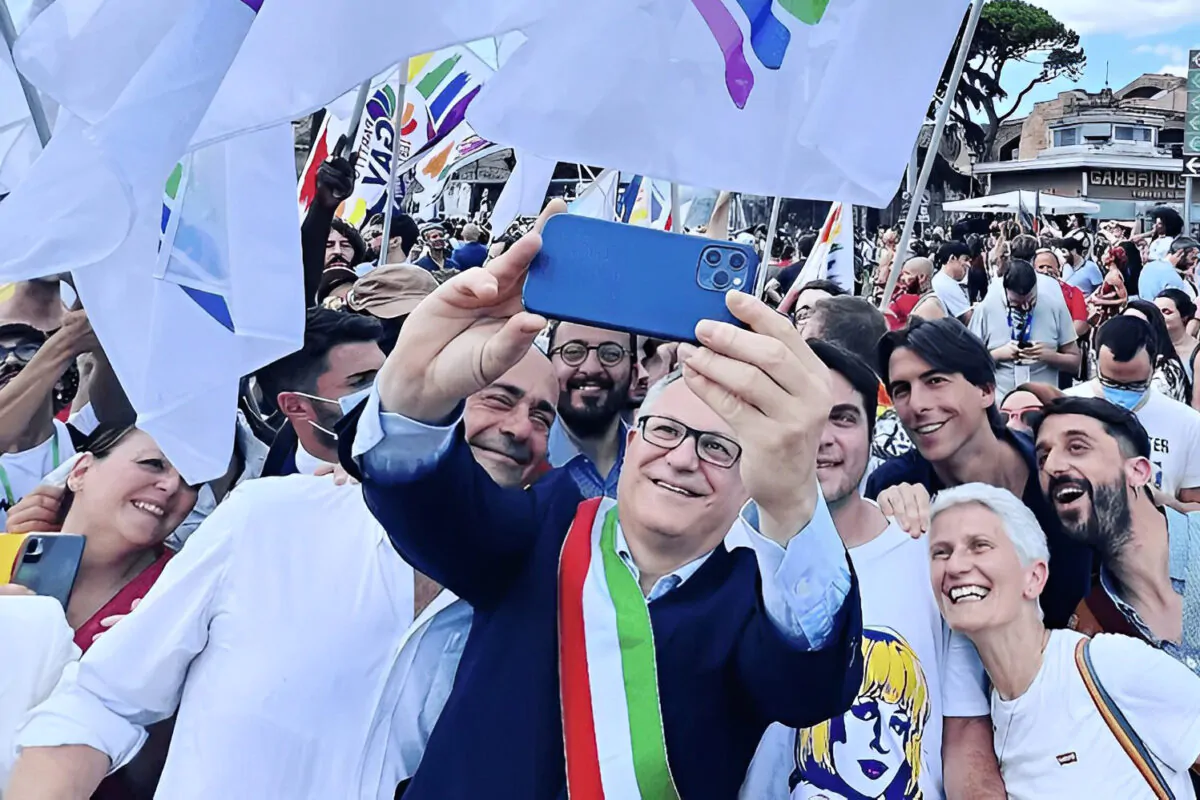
(1130, 38)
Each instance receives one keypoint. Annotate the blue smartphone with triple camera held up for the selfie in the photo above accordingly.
(639, 280)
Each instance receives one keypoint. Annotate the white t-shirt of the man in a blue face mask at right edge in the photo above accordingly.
(1174, 431)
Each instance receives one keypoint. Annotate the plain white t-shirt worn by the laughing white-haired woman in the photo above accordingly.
(1053, 743)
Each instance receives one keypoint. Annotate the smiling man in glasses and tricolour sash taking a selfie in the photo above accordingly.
(637, 643)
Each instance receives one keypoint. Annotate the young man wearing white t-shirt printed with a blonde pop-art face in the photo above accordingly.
(950, 750)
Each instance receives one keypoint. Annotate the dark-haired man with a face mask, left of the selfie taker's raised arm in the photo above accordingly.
(340, 357)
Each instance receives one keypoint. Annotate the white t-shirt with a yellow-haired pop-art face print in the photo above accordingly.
(937, 673)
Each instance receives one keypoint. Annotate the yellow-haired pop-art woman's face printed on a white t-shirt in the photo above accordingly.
(874, 750)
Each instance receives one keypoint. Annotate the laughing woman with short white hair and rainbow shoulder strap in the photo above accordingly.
(1108, 718)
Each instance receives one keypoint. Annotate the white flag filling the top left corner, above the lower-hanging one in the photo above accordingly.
(121, 130)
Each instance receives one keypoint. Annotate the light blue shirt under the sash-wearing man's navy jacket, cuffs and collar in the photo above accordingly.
(803, 586)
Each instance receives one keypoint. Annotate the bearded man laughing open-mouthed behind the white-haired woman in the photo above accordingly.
(1096, 472)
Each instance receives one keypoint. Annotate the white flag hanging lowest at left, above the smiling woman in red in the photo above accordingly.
(224, 298)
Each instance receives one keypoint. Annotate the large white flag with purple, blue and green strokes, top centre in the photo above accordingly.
(748, 97)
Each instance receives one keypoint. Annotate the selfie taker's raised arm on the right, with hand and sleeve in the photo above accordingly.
(776, 394)
